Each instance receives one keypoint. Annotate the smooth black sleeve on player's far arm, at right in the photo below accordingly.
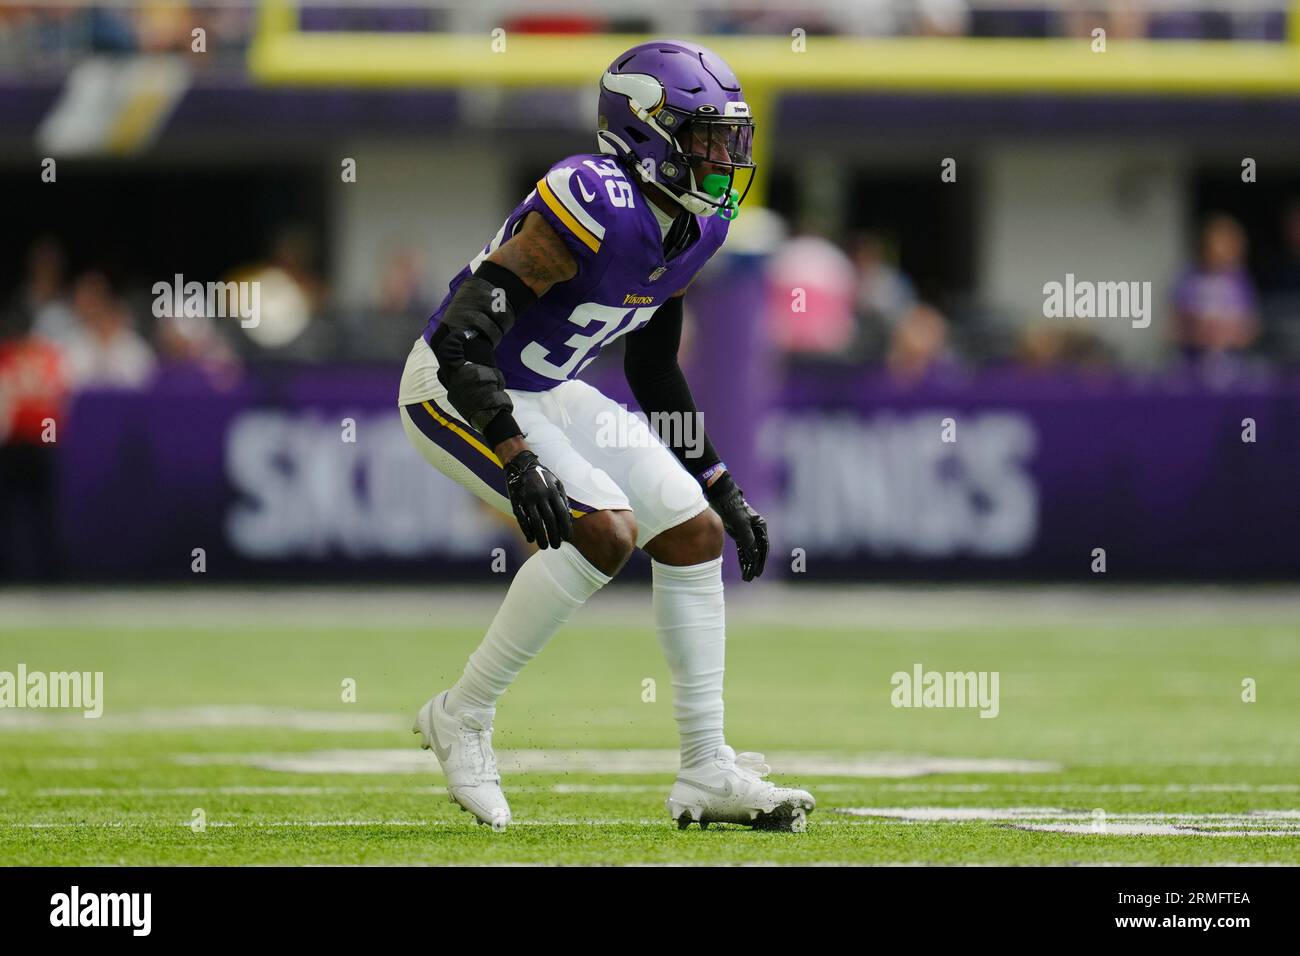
(651, 365)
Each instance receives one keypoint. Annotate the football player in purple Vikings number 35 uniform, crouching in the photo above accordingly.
(603, 249)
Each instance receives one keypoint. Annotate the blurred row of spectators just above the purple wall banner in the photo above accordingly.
(857, 308)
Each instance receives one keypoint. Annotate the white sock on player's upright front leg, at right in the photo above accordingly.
(691, 624)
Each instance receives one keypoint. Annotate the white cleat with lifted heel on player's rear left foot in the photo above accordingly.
(463, 747)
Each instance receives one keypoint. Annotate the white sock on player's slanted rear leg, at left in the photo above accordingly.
(548, 589)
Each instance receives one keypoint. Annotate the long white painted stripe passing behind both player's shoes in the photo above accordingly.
(415, 762)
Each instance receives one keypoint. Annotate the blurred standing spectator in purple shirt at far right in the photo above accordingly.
(1215, 302)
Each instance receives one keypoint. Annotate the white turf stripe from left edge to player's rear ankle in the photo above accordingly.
(202, 717)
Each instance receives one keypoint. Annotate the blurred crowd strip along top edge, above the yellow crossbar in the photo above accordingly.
(54, 32)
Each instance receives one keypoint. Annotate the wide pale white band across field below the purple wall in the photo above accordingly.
(766, 603)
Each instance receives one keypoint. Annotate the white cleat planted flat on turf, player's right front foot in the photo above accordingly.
(731, 789)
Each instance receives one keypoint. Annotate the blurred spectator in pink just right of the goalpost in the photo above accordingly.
(811, 293)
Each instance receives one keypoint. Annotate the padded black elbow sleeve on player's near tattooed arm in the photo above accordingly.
(480, 314)
